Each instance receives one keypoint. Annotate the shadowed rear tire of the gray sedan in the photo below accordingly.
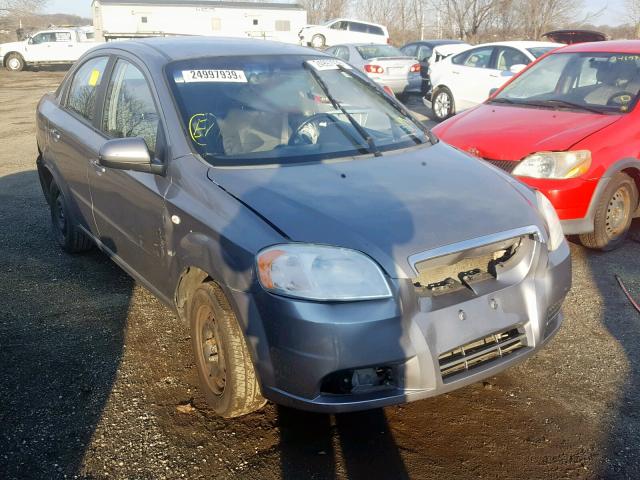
(63, 226)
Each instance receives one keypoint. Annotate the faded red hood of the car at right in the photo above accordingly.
(500, 132)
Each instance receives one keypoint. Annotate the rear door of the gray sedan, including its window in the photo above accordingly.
(73, 141)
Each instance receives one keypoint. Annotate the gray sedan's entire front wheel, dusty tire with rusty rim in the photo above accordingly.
(225, 369)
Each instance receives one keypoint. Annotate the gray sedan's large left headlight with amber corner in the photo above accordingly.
(317, 272)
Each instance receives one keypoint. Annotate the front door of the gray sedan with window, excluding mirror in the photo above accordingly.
(128, 206)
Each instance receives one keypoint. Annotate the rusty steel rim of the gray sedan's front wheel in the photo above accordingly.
(211, 351)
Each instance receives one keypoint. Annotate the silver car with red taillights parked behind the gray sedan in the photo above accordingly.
(384, 64)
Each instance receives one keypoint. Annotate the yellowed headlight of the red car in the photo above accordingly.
(554, 164)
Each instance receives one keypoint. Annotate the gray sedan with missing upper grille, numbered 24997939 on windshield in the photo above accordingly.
(326, 250)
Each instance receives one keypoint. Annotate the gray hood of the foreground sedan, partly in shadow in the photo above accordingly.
(389, 207)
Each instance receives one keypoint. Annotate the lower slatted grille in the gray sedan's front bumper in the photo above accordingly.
(481, 352)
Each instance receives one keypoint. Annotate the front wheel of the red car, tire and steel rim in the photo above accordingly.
(614, 214)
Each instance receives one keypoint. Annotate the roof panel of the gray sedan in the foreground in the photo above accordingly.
(182, 48)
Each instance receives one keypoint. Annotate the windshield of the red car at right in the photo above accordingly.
(598, 82)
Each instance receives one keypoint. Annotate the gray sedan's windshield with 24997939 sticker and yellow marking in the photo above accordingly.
(285, 109)
